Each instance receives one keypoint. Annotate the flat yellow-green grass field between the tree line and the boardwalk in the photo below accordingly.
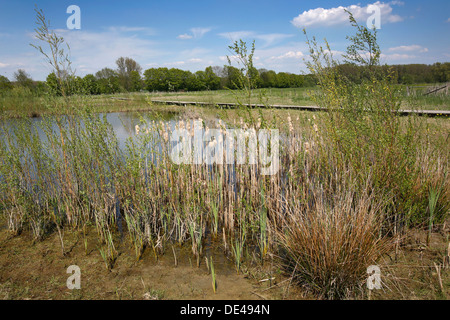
(31, 105)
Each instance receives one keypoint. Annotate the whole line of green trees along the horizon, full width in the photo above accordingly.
(129, 77)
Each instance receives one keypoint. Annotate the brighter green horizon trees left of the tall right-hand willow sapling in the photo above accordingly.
(128, 77)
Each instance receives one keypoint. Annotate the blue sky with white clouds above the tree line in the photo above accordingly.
(192, 35)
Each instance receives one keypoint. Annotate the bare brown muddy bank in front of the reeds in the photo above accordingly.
(38, 271)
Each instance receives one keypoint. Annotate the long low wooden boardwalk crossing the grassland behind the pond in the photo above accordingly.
(431, 113)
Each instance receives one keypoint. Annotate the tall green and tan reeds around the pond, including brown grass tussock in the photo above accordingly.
(325, 219)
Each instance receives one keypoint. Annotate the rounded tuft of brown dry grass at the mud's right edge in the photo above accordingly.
(328, 243)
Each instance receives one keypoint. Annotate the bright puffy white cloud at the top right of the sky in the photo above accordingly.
(337, 16)
